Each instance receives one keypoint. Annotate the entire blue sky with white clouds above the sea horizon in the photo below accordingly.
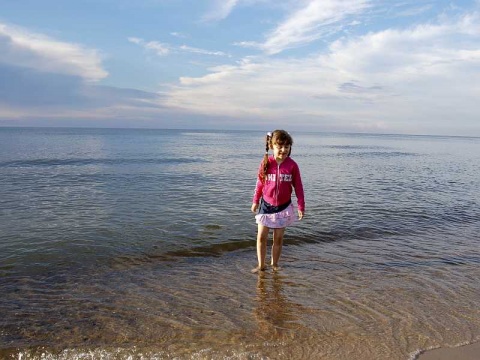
(373, 66)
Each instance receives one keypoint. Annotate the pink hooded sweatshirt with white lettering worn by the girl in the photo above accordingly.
(277, 189)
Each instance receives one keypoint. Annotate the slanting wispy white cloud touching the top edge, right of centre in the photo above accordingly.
(311, 22)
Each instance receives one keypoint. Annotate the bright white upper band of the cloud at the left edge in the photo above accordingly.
(20, 47)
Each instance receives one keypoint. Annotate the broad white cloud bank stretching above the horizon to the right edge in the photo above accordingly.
(386, 80)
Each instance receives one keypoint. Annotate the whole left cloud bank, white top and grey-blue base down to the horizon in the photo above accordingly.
(43, 77)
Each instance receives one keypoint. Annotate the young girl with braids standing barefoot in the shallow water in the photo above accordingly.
(277, 176)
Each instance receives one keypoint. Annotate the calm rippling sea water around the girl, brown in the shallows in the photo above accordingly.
(139, 243)
